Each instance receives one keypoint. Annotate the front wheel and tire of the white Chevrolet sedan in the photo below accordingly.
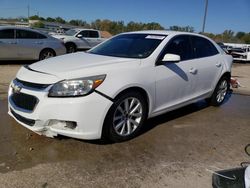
(125, 118)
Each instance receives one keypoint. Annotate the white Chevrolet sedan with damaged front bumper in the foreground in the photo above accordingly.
(109, 91)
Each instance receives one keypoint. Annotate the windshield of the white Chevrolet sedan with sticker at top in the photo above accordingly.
(129, 45)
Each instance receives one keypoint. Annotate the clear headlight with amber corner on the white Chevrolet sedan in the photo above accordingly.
(76, 87)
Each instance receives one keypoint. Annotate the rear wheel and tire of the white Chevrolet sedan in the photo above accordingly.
(220, 92)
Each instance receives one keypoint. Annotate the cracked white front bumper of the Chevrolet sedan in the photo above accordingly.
(77, 117)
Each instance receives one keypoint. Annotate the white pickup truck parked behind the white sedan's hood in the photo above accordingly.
(80, 39)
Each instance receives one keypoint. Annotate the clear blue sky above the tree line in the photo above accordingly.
(222, 14)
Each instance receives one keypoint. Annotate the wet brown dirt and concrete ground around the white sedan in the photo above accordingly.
(177, 149)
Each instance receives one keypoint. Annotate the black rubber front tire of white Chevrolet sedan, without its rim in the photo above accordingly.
(108, 132)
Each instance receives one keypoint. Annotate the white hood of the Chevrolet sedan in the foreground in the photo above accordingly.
(80, 64)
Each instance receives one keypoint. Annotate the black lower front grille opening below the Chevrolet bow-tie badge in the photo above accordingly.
(24, 101)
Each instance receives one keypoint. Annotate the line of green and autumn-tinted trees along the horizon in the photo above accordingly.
(115, 27)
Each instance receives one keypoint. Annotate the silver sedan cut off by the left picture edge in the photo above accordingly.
(18, 43)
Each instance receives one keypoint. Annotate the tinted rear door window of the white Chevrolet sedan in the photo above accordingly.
(203, 47)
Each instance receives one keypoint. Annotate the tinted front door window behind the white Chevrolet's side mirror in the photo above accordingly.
(181, 46)
